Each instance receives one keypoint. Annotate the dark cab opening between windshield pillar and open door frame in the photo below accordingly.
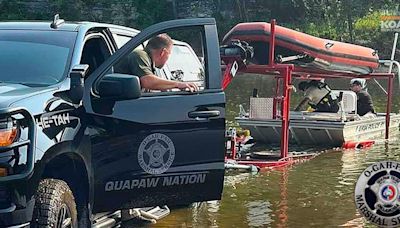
(95, 52)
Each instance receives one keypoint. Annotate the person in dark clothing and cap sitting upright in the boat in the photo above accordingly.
(365, 106)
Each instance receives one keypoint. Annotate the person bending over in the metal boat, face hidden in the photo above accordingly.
(318, 96)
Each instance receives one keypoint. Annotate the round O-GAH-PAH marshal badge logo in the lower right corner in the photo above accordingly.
(377, 193)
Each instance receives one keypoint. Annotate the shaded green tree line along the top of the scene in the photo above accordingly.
(354, 21)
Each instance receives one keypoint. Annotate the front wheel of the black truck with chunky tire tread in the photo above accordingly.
(54, 205)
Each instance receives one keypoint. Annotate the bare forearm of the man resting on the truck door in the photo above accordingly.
(153, 82)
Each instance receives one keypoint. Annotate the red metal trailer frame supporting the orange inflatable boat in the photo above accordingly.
(234, 56)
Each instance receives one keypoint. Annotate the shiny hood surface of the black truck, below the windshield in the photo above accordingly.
(10, 93)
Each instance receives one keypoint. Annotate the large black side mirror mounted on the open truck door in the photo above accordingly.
(119, 87)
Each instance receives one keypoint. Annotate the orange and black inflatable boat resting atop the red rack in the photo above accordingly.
(304, 50)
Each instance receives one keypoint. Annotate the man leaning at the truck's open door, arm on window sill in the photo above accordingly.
(142, 63)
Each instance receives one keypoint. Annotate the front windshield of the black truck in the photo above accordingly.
(35, 58)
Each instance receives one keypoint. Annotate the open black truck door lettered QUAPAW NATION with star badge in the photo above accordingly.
(156, 148)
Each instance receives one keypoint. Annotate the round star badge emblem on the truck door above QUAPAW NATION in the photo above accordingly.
(156, 153)
